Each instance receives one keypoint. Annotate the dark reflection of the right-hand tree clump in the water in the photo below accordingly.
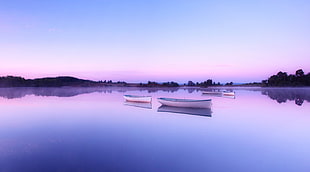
(282, 95)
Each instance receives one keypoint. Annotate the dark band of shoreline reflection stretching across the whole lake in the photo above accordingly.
(281, 95)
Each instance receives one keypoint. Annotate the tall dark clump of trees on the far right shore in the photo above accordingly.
(282, 79)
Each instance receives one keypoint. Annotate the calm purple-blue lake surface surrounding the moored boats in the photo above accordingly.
(93, 129)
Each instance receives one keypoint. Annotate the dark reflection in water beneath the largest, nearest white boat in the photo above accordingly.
(182, 110)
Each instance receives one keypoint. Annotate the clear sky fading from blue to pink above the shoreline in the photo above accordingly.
(160, 40)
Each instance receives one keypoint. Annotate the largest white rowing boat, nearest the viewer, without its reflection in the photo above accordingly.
(190, 103)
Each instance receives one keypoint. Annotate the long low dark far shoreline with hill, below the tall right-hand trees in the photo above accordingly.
(64, 81)
